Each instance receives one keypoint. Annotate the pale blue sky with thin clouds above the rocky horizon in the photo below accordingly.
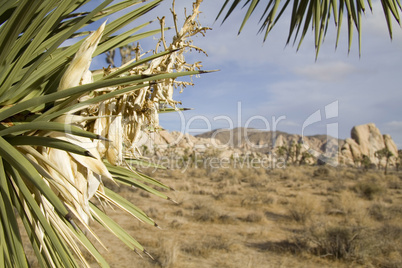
(271, 86)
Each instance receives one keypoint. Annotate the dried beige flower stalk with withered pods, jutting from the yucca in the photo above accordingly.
(124, 118)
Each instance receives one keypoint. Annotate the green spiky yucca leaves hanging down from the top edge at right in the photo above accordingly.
(312, 13)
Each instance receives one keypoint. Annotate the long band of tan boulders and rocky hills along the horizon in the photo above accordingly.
(360, 149)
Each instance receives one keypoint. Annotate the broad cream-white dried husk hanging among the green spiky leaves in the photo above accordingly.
(77, 177)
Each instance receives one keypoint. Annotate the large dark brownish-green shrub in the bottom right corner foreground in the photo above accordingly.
(353, 244)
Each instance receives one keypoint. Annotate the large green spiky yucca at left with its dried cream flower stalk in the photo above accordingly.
(65, 129)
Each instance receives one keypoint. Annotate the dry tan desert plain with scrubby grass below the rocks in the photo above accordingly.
(298, 216)
